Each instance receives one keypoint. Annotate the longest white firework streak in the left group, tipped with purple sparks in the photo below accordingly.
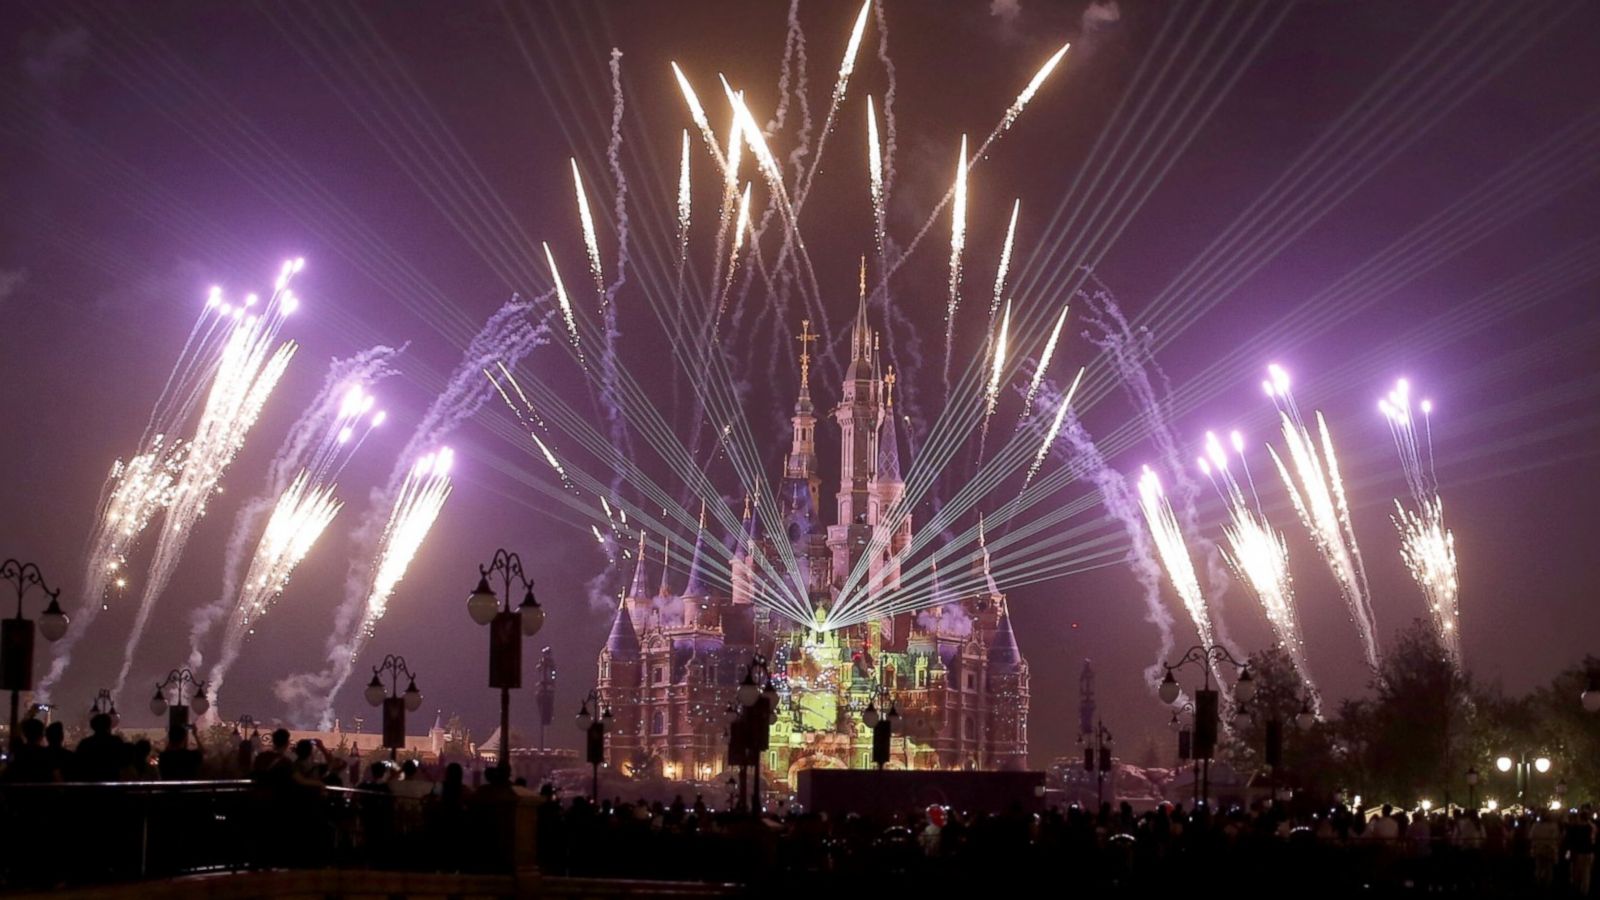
(249, 368)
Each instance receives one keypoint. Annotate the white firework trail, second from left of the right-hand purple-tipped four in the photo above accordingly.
(1258, 555)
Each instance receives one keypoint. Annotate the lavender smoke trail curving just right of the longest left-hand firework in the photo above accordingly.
(311, 449)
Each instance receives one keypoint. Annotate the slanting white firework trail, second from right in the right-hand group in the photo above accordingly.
(1318, 499)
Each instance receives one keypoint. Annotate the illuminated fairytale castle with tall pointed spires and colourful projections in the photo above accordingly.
(676, 657)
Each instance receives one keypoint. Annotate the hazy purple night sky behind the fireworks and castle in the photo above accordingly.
(1358, 190)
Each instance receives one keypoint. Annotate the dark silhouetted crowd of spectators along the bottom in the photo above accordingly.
(295, 805)
